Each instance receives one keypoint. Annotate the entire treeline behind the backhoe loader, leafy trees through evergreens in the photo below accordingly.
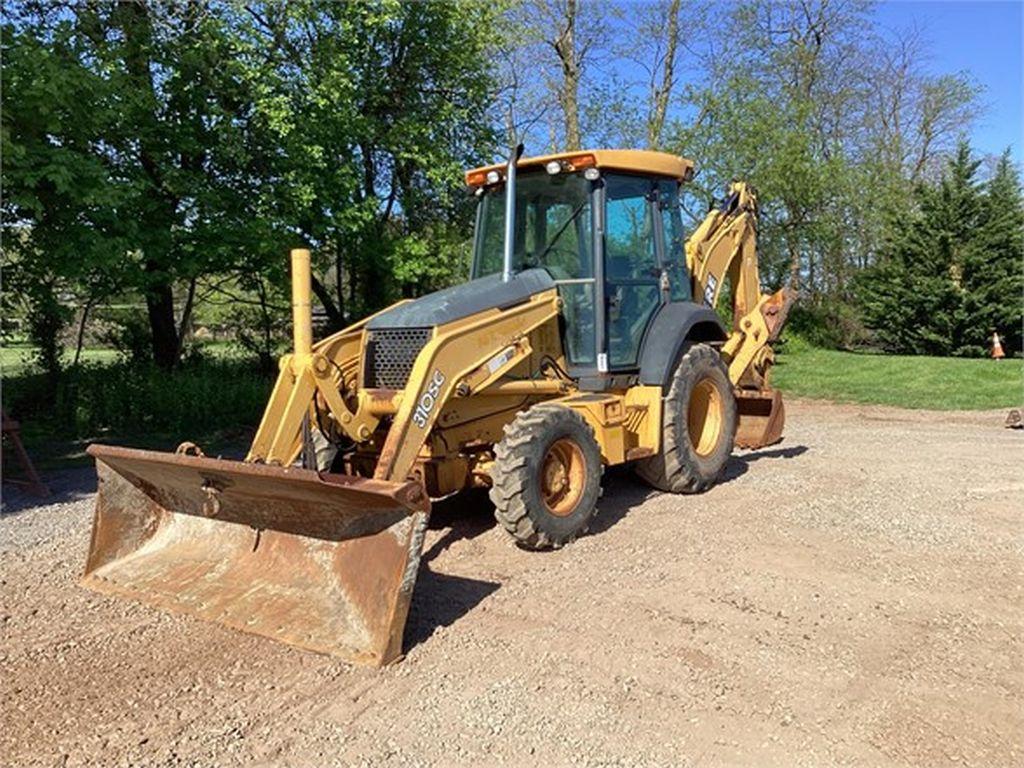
(173, 152)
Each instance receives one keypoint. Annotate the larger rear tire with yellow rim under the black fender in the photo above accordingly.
(699, 426)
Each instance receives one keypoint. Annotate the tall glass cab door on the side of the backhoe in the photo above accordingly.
(632, 270)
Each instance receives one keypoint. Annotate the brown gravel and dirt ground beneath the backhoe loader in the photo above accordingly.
(852, 596)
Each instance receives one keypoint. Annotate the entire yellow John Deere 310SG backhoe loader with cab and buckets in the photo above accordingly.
(587, 337)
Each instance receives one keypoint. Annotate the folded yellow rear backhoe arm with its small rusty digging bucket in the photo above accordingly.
(724, 248)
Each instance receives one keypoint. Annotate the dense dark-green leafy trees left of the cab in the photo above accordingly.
(157, 145)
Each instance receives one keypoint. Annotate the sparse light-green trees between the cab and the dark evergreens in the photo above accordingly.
(832, 121)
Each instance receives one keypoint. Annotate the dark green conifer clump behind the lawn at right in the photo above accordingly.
(950, 272)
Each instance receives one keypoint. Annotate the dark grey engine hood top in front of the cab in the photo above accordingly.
(457, 303)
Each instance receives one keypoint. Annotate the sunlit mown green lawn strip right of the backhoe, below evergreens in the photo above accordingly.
(913, 382)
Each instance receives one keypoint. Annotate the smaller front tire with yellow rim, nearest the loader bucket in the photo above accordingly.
(546, 479)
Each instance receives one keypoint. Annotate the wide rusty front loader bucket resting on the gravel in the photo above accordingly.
(325, 563)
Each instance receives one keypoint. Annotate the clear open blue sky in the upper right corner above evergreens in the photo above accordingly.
(984, 38)
